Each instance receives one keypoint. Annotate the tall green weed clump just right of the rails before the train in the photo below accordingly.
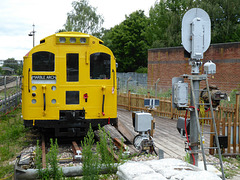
(102, 159)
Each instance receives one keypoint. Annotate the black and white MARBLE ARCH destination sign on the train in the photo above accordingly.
(44, 79)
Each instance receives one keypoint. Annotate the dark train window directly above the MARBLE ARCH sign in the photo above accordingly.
(43, 61)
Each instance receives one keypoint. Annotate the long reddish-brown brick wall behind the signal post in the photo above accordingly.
(166, 63)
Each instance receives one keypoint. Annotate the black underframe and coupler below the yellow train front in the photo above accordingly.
(71, 124)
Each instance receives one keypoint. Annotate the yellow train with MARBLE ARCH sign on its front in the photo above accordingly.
(69, 81)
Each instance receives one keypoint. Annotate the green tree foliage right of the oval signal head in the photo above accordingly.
(225, 19)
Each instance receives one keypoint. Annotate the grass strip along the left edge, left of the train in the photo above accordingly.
(12, 140)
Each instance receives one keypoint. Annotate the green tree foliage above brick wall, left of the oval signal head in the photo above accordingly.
(165, 19)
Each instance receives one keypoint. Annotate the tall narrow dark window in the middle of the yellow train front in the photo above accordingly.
(72, 67)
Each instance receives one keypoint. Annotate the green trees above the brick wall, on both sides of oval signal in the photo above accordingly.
(165, 19)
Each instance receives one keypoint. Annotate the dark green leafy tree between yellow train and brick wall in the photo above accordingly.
(128, 42)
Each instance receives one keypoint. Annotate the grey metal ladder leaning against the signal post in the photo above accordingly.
(213, 122)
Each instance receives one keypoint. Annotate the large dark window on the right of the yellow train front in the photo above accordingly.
(100, 66)
